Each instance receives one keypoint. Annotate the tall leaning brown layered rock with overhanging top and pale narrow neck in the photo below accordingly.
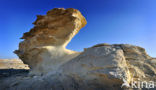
(44, 45)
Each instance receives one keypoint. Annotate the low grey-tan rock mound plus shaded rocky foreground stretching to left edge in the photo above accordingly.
(101, 67)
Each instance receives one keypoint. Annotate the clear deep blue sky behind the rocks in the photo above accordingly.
(109, 21)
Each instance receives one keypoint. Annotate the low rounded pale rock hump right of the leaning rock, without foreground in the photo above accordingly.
(113, 64)
